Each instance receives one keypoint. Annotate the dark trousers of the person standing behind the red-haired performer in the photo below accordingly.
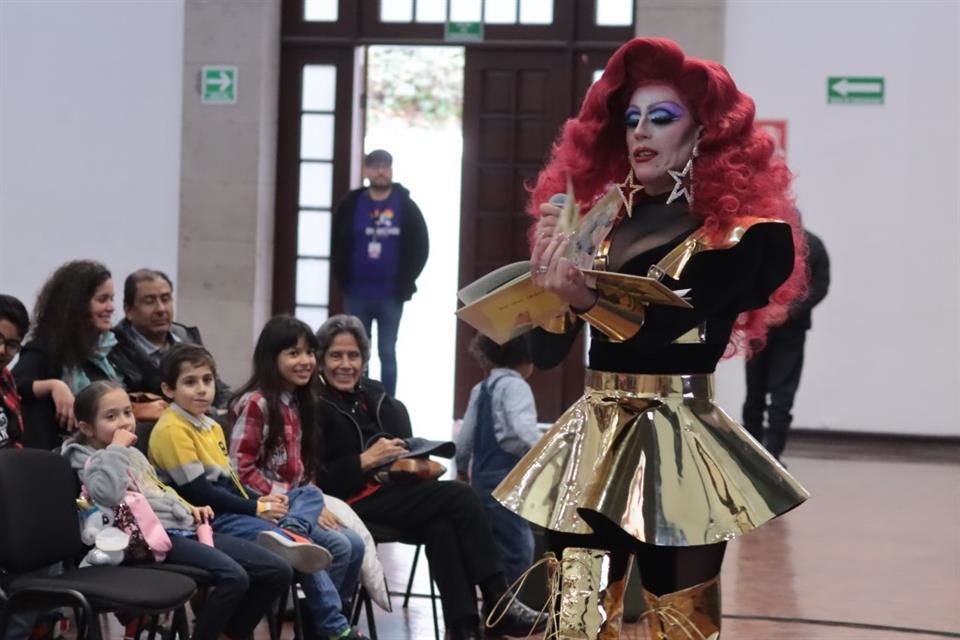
(774, 372)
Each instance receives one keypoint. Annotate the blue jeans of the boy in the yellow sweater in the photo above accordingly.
(323, 597)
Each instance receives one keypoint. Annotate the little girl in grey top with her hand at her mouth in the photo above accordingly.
(246, 578)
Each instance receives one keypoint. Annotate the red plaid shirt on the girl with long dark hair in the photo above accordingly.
(266, 472)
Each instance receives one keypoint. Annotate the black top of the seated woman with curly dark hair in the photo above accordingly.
(41, 429)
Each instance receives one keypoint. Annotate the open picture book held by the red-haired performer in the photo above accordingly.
(506, 303)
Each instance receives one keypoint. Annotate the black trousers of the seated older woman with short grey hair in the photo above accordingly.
(448, 518)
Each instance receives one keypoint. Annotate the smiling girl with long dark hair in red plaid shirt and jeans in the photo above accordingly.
(273, 434)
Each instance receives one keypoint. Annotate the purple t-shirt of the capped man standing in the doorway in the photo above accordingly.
(376, 246)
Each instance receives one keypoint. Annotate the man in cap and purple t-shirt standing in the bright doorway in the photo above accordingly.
(378, 249)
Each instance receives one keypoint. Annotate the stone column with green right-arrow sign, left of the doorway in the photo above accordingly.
(228, 178)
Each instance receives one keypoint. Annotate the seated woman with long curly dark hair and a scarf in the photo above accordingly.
(68, 349)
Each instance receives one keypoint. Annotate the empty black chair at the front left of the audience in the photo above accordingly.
(39, 529)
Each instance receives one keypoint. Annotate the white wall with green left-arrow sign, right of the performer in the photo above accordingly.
(879, 184)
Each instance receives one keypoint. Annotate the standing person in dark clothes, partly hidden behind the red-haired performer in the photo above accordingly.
(775, 371)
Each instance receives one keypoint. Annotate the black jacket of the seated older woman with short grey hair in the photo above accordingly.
(342, 436)
